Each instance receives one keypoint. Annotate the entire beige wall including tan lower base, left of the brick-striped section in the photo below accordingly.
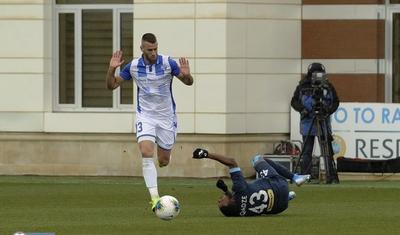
(245, 57)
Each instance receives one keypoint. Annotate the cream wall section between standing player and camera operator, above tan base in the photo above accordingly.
(245, 56)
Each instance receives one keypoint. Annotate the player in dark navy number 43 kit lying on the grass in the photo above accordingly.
(268, 194)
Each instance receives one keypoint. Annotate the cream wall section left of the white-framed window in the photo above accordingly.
(25, 68)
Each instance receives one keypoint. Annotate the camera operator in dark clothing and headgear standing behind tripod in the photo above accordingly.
(315, 99)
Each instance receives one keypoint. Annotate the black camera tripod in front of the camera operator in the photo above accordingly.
(324, 140)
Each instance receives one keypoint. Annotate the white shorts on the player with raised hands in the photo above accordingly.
(162, 132)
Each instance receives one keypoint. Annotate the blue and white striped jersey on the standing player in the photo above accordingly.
(154, 85)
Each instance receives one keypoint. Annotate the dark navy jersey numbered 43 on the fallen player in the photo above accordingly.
(262, 196)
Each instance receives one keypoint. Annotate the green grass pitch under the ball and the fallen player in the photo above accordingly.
(119, 205)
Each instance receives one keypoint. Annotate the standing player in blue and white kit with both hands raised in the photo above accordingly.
(156, 122)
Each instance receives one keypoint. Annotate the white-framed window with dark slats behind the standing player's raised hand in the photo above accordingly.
(87, 33)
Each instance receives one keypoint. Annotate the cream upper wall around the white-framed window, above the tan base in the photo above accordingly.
(245, 56)
